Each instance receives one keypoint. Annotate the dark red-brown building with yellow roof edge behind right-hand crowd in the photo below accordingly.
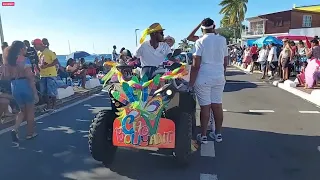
(303, 21)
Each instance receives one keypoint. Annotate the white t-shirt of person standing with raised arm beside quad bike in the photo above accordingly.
(212, 49)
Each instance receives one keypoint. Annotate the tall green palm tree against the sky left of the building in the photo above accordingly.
(234, 12)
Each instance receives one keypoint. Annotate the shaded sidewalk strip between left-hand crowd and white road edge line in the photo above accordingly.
(78, 95)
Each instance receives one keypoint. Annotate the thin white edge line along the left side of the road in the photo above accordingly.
(58, 110)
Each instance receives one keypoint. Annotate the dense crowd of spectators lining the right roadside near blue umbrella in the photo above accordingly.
(284, 60)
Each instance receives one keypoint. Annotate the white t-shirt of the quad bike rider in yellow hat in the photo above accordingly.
(150, 56)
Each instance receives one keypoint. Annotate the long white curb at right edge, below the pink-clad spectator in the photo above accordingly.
(312, 98)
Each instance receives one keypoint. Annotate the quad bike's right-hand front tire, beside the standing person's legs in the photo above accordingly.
(183, 122)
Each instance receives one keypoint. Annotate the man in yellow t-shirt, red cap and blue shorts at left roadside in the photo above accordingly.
(48, 74)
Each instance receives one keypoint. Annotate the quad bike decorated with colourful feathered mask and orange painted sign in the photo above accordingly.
(142, 115)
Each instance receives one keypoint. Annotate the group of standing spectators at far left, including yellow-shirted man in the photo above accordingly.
(19, 66)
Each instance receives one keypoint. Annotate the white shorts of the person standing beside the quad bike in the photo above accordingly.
(209, 92)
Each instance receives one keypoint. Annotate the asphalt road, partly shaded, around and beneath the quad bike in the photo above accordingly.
(268, 134)
